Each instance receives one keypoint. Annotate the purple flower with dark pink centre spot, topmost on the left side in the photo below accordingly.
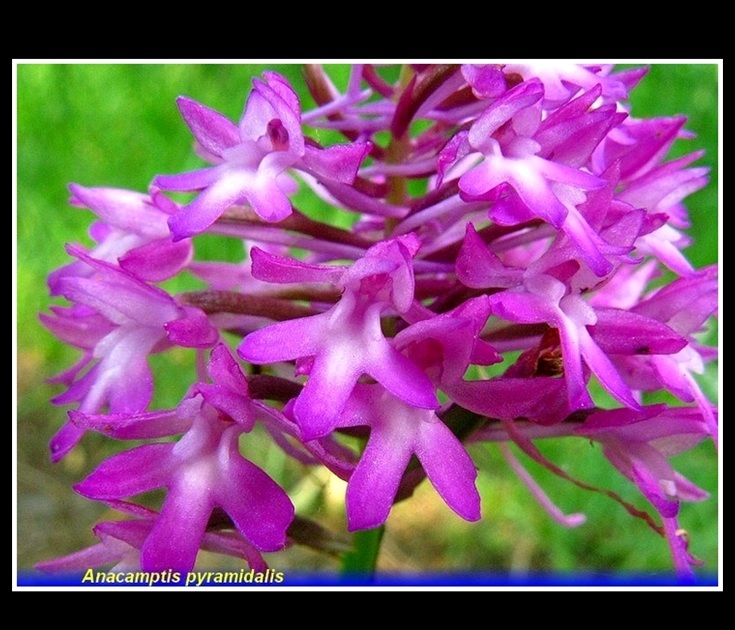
(251, 158)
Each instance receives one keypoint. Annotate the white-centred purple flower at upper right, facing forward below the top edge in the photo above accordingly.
(517, 175)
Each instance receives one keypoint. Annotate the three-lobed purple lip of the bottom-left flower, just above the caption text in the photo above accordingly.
(202, 471)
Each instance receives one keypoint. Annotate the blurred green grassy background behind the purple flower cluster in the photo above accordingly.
(118, 125)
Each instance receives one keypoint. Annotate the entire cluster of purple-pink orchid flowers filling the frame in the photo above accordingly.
(513, 271)
